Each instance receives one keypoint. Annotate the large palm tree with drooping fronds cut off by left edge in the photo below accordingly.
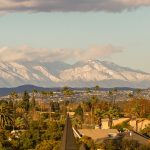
(5, 115)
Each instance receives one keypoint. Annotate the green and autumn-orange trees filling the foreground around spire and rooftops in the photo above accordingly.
(26, 124)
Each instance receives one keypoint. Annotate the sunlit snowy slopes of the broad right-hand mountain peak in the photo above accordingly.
(98, 71)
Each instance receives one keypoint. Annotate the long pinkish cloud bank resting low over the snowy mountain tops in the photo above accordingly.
(26, 53)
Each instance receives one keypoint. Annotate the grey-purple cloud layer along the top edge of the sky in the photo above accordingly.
(70, 5)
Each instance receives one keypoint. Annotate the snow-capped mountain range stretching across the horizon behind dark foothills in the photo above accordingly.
(81, 74)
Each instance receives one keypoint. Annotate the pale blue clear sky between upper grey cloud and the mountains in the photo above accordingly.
(127, 31)
